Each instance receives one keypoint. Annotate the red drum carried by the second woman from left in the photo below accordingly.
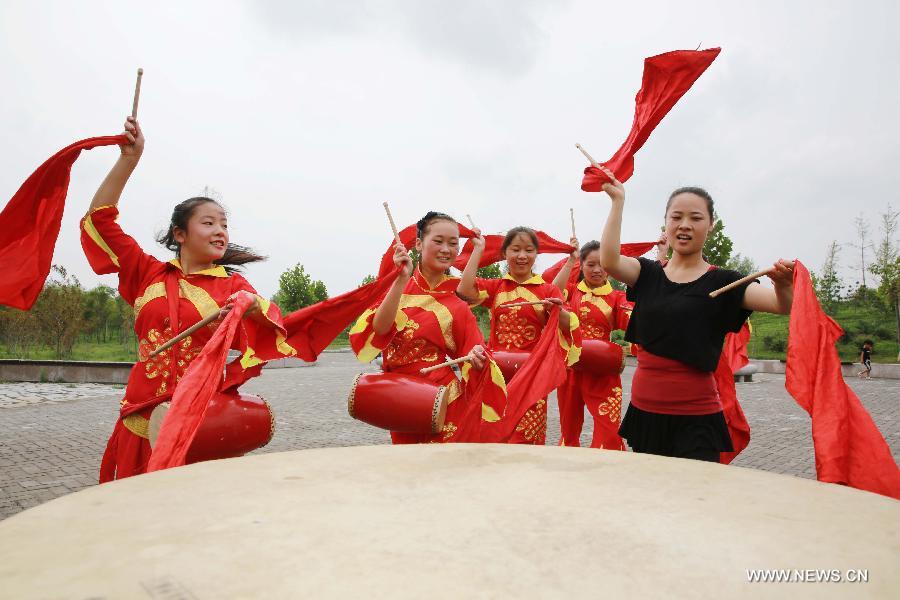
(398, 402)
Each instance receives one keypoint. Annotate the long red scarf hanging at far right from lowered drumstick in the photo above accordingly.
(849, 448)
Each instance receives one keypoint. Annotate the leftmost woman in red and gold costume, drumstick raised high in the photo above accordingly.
(169, 297)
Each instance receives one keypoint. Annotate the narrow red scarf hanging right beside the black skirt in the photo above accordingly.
(734, 358)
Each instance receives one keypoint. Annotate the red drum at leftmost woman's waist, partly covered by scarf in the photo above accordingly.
(233, 425)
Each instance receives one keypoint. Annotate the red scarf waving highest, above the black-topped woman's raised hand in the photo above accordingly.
(667, 78)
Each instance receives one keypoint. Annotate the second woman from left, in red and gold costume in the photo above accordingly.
(421, 322)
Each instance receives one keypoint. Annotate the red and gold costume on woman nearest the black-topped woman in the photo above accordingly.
(600, 311)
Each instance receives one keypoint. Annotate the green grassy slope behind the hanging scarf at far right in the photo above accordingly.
(858, 322)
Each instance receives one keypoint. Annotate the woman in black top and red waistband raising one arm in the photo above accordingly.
(675, 408)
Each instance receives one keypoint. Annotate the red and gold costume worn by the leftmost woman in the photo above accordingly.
(167, 301)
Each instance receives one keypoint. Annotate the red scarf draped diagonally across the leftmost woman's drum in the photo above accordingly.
(193, 393)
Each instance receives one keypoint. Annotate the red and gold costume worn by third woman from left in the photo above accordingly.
(517, 329)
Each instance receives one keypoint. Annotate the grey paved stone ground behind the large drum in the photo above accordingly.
(52, 435)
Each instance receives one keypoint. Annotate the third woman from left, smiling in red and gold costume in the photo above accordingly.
(518, 328)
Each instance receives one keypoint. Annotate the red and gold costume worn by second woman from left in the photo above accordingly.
(432, 326)
